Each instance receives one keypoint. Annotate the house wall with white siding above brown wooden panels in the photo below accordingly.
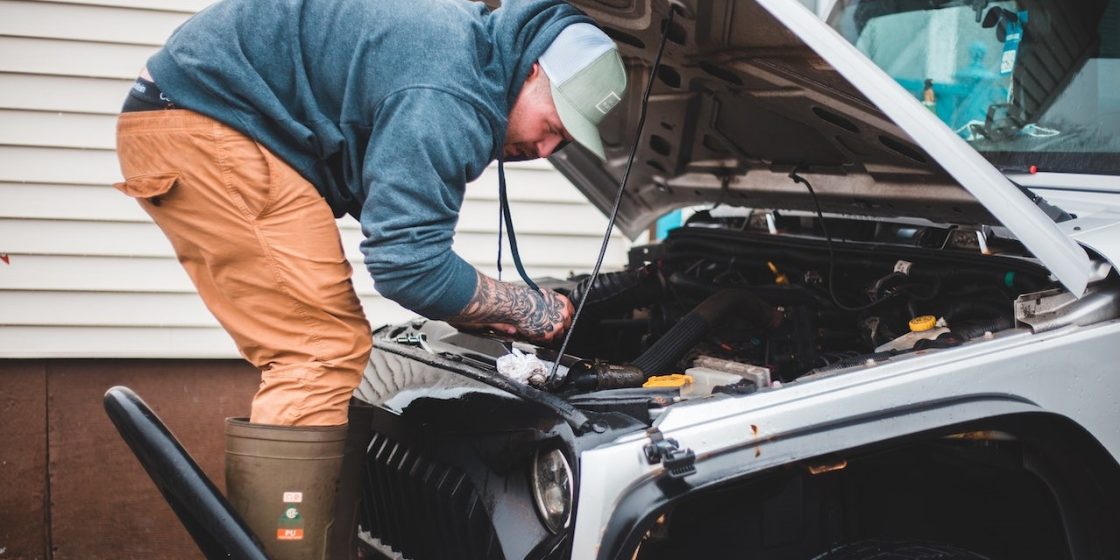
(92, 296)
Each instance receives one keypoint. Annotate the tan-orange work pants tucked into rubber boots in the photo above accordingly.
(262, 247)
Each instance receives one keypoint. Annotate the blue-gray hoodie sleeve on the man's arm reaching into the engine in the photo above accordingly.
(425, 147)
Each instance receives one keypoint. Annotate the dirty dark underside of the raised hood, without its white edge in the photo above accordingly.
(739, 104)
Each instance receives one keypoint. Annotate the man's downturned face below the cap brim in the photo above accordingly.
(535, 129)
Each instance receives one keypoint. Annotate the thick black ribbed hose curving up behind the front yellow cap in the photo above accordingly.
(664, 356)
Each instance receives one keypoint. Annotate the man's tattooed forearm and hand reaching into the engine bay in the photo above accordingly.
(517, 311)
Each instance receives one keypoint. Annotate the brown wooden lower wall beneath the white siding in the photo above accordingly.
(70, 488)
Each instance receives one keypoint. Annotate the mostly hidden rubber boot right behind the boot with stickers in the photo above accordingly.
(344, 529)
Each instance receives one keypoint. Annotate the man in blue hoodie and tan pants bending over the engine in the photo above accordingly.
(259, 124)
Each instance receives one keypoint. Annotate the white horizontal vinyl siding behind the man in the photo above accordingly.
(90, 276)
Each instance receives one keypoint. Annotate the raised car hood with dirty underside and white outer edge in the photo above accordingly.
(750, 91)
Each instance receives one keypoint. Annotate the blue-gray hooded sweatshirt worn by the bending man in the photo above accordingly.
(389, 107)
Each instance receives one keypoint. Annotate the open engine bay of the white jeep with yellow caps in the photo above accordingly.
(750, 301)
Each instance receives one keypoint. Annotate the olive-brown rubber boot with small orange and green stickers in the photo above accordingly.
(282, 480)
